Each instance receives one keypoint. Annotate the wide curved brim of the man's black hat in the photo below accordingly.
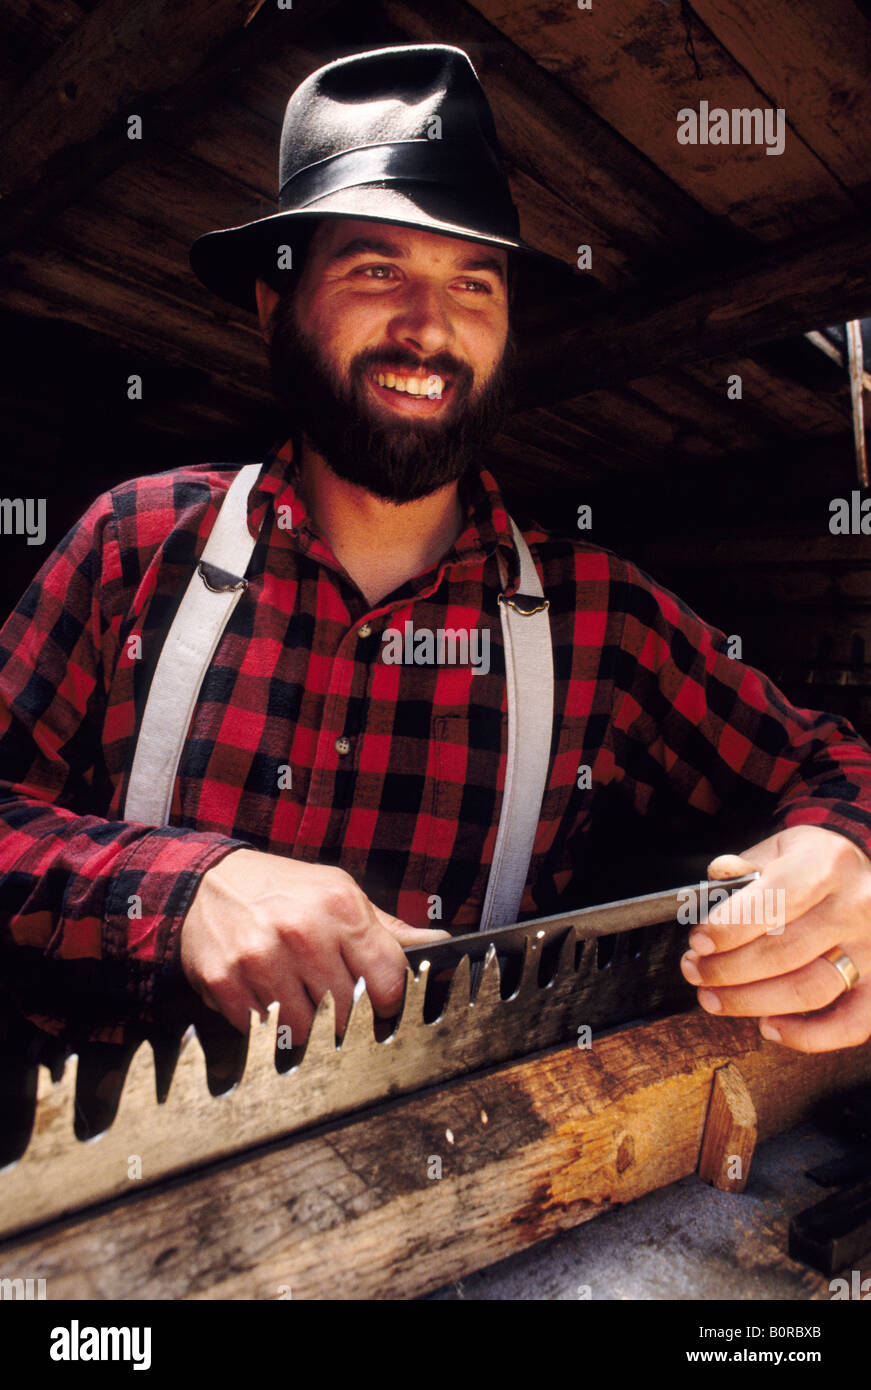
(548, 295)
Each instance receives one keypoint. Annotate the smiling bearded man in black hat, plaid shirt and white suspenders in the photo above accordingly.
(324, 801)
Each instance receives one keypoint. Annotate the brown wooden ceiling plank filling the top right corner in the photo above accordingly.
(818, 60)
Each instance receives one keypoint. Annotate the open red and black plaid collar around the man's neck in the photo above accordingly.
(487, 521)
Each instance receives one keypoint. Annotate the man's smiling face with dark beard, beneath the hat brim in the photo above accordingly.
(392, 354)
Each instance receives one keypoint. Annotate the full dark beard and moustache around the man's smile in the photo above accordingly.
(398, 461)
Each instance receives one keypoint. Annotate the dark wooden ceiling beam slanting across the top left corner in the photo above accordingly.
(69, 124)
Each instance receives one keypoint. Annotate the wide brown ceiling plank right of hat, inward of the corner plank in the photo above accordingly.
(627, 60)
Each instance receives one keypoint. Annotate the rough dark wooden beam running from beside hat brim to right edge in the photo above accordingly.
(788, 290)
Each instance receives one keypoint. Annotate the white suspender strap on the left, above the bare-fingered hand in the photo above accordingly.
(187, 655)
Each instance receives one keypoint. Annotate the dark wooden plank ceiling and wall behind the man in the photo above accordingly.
(708, 263)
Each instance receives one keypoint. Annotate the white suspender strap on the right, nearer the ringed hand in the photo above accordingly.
(526, 629)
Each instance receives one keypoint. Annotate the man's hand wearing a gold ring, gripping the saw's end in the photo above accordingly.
(761, 953)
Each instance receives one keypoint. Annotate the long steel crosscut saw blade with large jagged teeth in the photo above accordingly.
(513, 992)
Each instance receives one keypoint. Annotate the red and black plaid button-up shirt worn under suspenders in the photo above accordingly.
(395, 771)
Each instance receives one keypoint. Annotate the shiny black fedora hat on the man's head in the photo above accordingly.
(399, 136)
